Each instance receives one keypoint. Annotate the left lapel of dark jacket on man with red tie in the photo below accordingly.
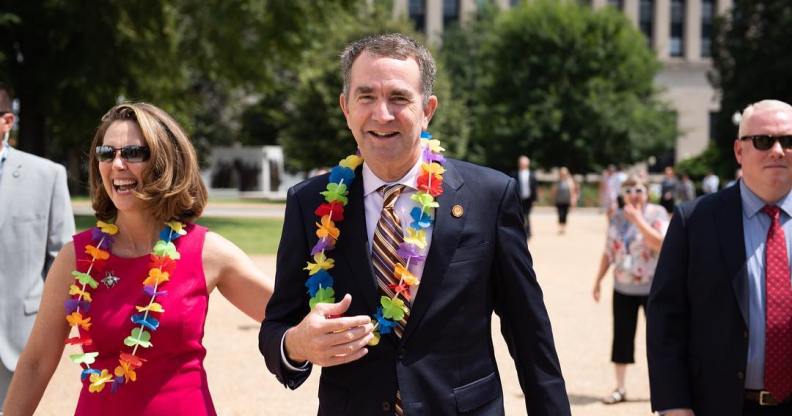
(728, 222)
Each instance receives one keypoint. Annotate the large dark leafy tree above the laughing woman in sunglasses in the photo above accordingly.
(70, 61)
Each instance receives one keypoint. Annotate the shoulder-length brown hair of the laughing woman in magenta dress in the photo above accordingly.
(172, 187)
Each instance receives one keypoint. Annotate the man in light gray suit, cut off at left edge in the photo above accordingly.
(35, 222)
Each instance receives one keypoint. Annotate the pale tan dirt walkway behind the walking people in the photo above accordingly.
(241, 384)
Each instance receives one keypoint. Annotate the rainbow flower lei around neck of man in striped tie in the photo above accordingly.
(429, 184)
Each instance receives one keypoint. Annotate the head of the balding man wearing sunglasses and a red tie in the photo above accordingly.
(768, 173)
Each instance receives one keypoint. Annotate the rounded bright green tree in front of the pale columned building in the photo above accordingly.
(569, 86)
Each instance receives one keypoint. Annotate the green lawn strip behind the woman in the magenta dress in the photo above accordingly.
(252, 235)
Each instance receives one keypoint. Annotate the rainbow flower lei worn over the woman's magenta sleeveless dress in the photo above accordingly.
(163, 261)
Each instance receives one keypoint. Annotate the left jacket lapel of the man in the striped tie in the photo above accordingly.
(354, 243)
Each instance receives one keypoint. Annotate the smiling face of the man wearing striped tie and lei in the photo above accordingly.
(386, 113)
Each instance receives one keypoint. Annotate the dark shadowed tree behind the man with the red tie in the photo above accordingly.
(751, 62)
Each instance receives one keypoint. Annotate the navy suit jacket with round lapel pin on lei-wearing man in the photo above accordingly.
(444, 364)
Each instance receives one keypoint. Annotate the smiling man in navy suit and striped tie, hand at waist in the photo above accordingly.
(477, 263)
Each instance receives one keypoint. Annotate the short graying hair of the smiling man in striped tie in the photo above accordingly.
(391, 45)
